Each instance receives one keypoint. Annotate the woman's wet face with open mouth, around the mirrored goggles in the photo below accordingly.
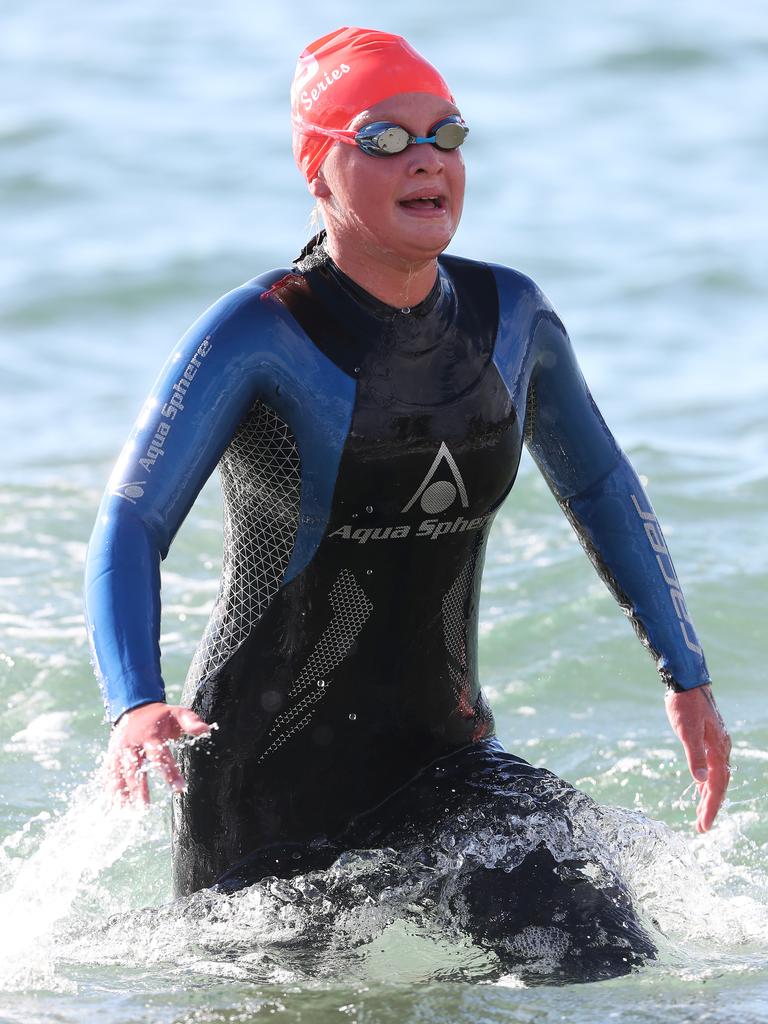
(379, 206)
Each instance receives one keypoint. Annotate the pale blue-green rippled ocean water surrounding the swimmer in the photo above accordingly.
(618, 156)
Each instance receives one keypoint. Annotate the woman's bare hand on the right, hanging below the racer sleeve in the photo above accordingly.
(700, 727)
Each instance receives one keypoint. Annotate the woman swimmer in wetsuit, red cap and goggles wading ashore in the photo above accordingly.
(367, 409)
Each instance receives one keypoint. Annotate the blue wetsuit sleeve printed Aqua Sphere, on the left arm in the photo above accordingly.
(240, 352)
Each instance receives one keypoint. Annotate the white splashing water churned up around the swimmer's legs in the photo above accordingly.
(372, 914)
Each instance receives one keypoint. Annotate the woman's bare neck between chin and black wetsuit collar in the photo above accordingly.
(394, 282)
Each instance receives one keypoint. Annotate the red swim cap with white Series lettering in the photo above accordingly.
(345, 73)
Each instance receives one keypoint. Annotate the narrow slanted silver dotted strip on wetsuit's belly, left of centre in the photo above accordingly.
(352, 610)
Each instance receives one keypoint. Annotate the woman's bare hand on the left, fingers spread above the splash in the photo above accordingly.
(141, 739)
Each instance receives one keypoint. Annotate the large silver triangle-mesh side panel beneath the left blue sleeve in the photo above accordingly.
(262, 487)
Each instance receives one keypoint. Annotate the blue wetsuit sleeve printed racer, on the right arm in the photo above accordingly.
(604, 499)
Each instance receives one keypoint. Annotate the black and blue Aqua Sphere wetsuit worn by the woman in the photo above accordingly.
(364, 452)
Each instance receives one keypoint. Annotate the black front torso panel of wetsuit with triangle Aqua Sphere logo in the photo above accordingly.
(321, 722)
